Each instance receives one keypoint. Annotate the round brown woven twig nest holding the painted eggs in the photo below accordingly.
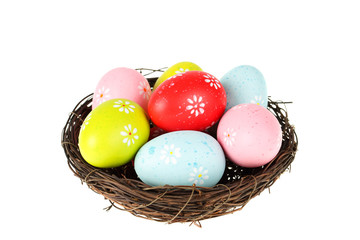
(171, 204)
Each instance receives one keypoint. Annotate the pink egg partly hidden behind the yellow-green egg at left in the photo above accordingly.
(122, 83)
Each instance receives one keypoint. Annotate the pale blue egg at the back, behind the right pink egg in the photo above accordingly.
(244, 84)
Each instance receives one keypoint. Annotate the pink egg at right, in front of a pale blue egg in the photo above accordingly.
(250, 135)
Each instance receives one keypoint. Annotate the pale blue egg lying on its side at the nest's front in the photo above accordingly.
(181, 158)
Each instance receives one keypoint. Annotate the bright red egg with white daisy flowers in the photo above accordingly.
(194, 100)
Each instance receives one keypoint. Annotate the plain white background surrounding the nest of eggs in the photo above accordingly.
(52, 54)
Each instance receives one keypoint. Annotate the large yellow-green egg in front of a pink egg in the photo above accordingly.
(113, 132)
